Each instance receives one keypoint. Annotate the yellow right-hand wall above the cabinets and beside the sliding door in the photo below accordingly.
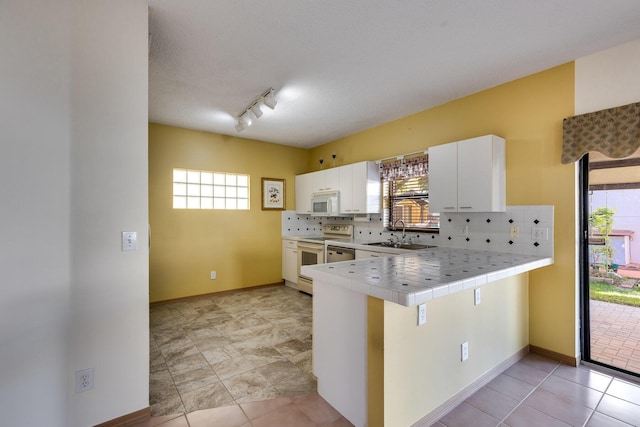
(528, 113)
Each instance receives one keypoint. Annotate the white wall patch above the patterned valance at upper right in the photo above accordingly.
(608, 79)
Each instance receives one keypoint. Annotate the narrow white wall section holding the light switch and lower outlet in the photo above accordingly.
(109, 194)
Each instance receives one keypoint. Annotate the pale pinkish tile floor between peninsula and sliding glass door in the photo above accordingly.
(541, 392)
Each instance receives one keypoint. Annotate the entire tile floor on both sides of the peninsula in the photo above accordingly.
(244, 360)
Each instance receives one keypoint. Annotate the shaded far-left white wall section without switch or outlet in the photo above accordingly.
(34, 211)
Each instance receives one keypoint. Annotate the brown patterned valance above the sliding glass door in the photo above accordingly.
(614, 132)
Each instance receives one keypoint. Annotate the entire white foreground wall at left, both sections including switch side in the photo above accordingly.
(73, 98)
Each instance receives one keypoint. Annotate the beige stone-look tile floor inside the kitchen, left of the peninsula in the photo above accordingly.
(232, 348)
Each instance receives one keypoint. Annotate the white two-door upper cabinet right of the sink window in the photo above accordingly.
(468, 176)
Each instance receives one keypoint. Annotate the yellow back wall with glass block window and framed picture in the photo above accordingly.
(244, 247)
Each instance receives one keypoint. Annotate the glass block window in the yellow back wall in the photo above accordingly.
(196, 189)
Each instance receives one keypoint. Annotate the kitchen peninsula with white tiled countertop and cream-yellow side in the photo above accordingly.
(377, 366)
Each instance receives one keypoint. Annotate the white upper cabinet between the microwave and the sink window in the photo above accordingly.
(360, 188)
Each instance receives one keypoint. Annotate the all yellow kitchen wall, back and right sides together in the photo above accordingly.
(245, 247)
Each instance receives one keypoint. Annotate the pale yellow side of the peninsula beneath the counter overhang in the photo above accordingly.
(422, 366)
